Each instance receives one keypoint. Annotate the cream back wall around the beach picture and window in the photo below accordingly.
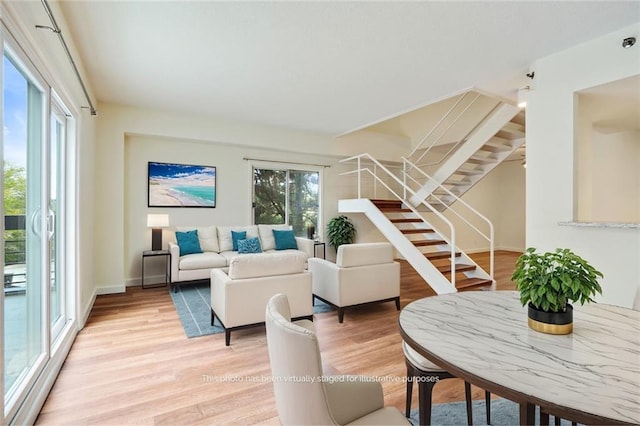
(129, 137)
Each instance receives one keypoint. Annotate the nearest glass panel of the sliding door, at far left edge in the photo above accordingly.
(23, 154)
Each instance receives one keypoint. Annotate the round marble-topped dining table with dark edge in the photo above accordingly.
(591, 376)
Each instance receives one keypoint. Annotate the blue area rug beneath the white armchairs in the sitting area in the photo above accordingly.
(192, 302)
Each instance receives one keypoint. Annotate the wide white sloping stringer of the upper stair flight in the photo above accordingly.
(487, 130)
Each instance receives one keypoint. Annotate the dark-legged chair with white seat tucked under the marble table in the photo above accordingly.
(428, 375)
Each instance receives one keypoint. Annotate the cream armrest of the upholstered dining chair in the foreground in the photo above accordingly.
(352, 397)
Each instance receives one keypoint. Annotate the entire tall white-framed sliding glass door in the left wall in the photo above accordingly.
(34, 182)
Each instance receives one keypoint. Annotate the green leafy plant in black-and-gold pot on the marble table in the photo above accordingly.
(547, 282)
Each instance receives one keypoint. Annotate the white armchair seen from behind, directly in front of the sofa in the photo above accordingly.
(239, 297)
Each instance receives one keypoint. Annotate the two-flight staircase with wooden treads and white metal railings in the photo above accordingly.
(403, 205)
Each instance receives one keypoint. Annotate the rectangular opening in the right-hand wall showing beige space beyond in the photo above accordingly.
(607, 152)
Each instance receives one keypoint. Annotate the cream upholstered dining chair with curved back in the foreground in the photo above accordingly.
(301, 397)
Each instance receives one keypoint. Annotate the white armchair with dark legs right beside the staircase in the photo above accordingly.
(363, 273)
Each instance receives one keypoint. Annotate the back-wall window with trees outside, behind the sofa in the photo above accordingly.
(287, 196)
